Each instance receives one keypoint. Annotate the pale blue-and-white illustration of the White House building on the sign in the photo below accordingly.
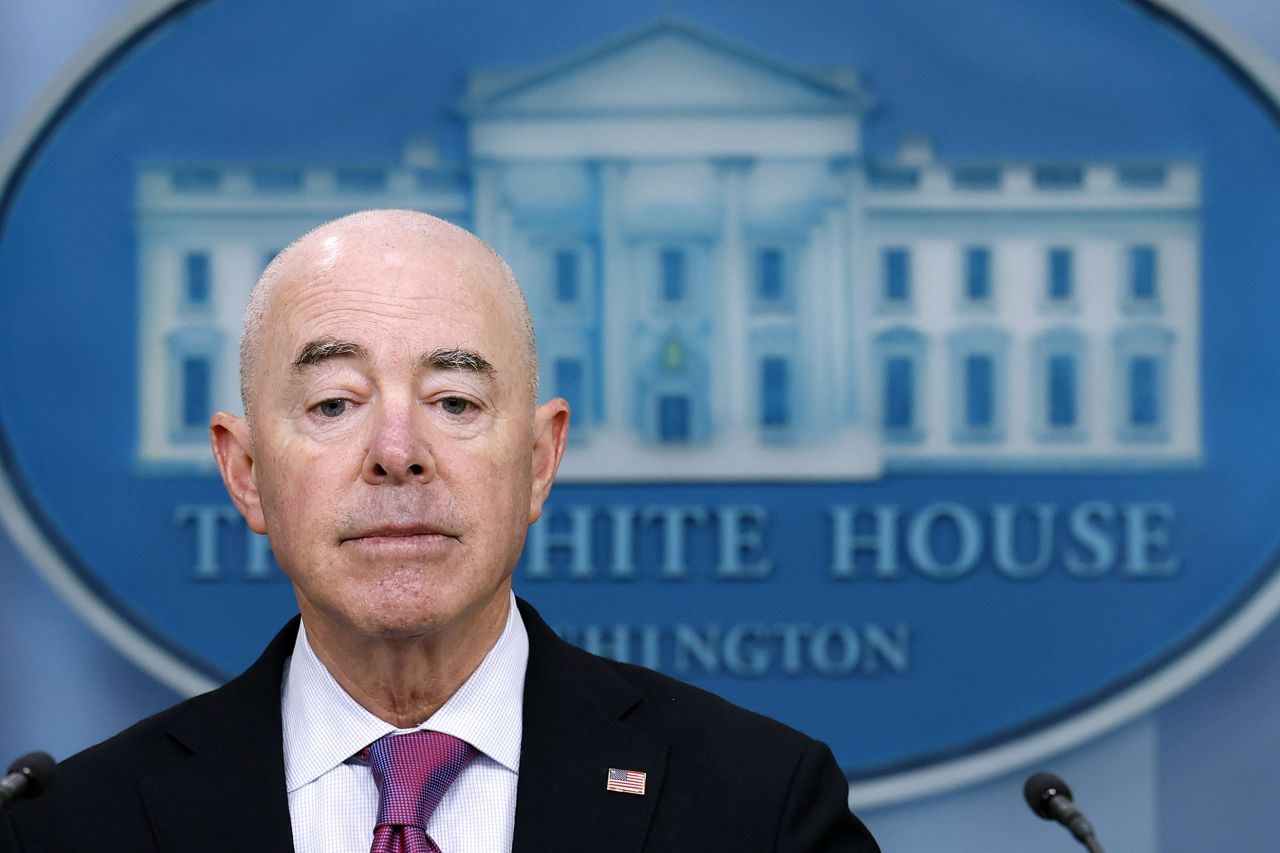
(726, 286)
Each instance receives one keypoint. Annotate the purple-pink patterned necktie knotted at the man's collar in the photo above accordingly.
(413, 773)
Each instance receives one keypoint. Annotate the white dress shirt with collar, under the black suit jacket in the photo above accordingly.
(333, 802)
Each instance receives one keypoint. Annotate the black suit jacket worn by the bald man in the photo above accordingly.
(208, 776)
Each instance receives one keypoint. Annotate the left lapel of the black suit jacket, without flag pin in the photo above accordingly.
(228, 793)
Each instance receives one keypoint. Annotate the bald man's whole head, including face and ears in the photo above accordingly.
(392, 445)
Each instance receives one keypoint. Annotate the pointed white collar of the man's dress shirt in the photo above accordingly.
(324, 726)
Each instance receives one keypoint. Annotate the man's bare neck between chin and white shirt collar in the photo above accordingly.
(405, 679)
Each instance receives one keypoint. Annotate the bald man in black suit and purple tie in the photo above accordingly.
(394, 450)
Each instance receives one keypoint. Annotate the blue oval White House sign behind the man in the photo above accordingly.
(875, 382)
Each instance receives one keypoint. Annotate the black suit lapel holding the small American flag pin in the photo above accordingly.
(574, 733)
